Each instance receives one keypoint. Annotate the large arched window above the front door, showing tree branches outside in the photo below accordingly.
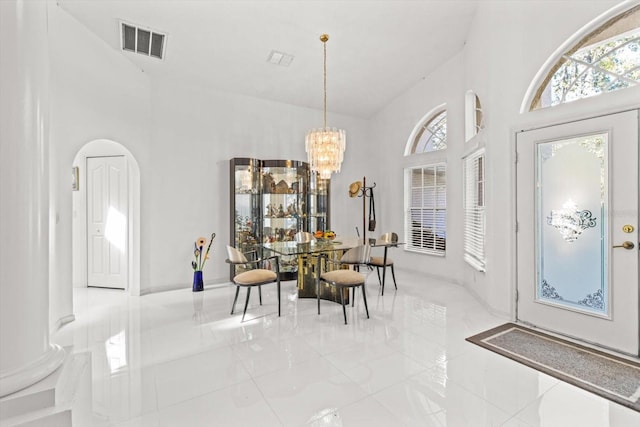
(602, 60)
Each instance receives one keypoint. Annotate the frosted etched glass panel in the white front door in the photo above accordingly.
(571, 203)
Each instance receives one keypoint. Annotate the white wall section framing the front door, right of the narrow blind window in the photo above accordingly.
(508, 44)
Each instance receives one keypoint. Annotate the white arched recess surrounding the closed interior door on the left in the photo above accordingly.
(80, 237)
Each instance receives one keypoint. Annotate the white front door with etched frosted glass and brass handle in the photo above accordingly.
(577, 203)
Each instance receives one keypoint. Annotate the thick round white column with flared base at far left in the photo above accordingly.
(26, 355)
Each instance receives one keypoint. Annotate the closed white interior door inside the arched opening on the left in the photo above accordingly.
(107, 222)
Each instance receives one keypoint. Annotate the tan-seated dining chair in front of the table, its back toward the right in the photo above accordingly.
(345, 278)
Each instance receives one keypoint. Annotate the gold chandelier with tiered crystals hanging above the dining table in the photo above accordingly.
(325, 146)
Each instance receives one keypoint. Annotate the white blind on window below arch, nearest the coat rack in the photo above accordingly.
(426, 209)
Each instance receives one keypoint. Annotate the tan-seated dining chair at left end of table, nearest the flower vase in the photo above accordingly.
(254, 277)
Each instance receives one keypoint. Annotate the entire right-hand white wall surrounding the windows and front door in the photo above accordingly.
(507, 44)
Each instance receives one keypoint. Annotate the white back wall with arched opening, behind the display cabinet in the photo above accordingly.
(182, 138)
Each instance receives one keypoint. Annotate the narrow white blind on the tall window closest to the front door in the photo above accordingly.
(474, 211)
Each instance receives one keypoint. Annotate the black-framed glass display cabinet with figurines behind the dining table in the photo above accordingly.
(272, 200)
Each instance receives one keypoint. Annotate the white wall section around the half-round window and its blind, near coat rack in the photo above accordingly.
(391, 130)
